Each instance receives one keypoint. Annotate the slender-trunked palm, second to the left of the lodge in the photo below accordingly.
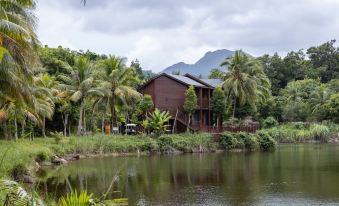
(80, 85)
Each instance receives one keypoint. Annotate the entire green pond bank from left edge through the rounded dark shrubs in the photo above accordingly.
(19, 159)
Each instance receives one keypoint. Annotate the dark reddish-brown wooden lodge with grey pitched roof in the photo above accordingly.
(168, 94)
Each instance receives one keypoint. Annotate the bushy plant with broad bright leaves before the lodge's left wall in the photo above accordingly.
(158, 122)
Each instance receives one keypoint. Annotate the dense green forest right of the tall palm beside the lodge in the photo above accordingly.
(304, 86)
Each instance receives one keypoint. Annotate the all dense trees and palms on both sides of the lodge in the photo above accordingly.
(46, 90)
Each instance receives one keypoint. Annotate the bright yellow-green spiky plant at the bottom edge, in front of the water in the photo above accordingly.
(73, 199)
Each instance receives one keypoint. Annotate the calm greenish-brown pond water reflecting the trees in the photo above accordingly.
(292, 175)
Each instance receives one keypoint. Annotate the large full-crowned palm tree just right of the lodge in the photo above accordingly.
(246, 81)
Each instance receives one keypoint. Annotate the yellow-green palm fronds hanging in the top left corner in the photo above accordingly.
(17, 32)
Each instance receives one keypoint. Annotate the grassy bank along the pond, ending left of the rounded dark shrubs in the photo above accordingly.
(23, 154)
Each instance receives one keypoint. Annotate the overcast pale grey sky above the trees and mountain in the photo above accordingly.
(163, 32)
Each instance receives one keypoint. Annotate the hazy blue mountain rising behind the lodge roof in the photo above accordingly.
(203, 66)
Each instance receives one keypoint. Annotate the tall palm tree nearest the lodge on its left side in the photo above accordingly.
(117, 82)
